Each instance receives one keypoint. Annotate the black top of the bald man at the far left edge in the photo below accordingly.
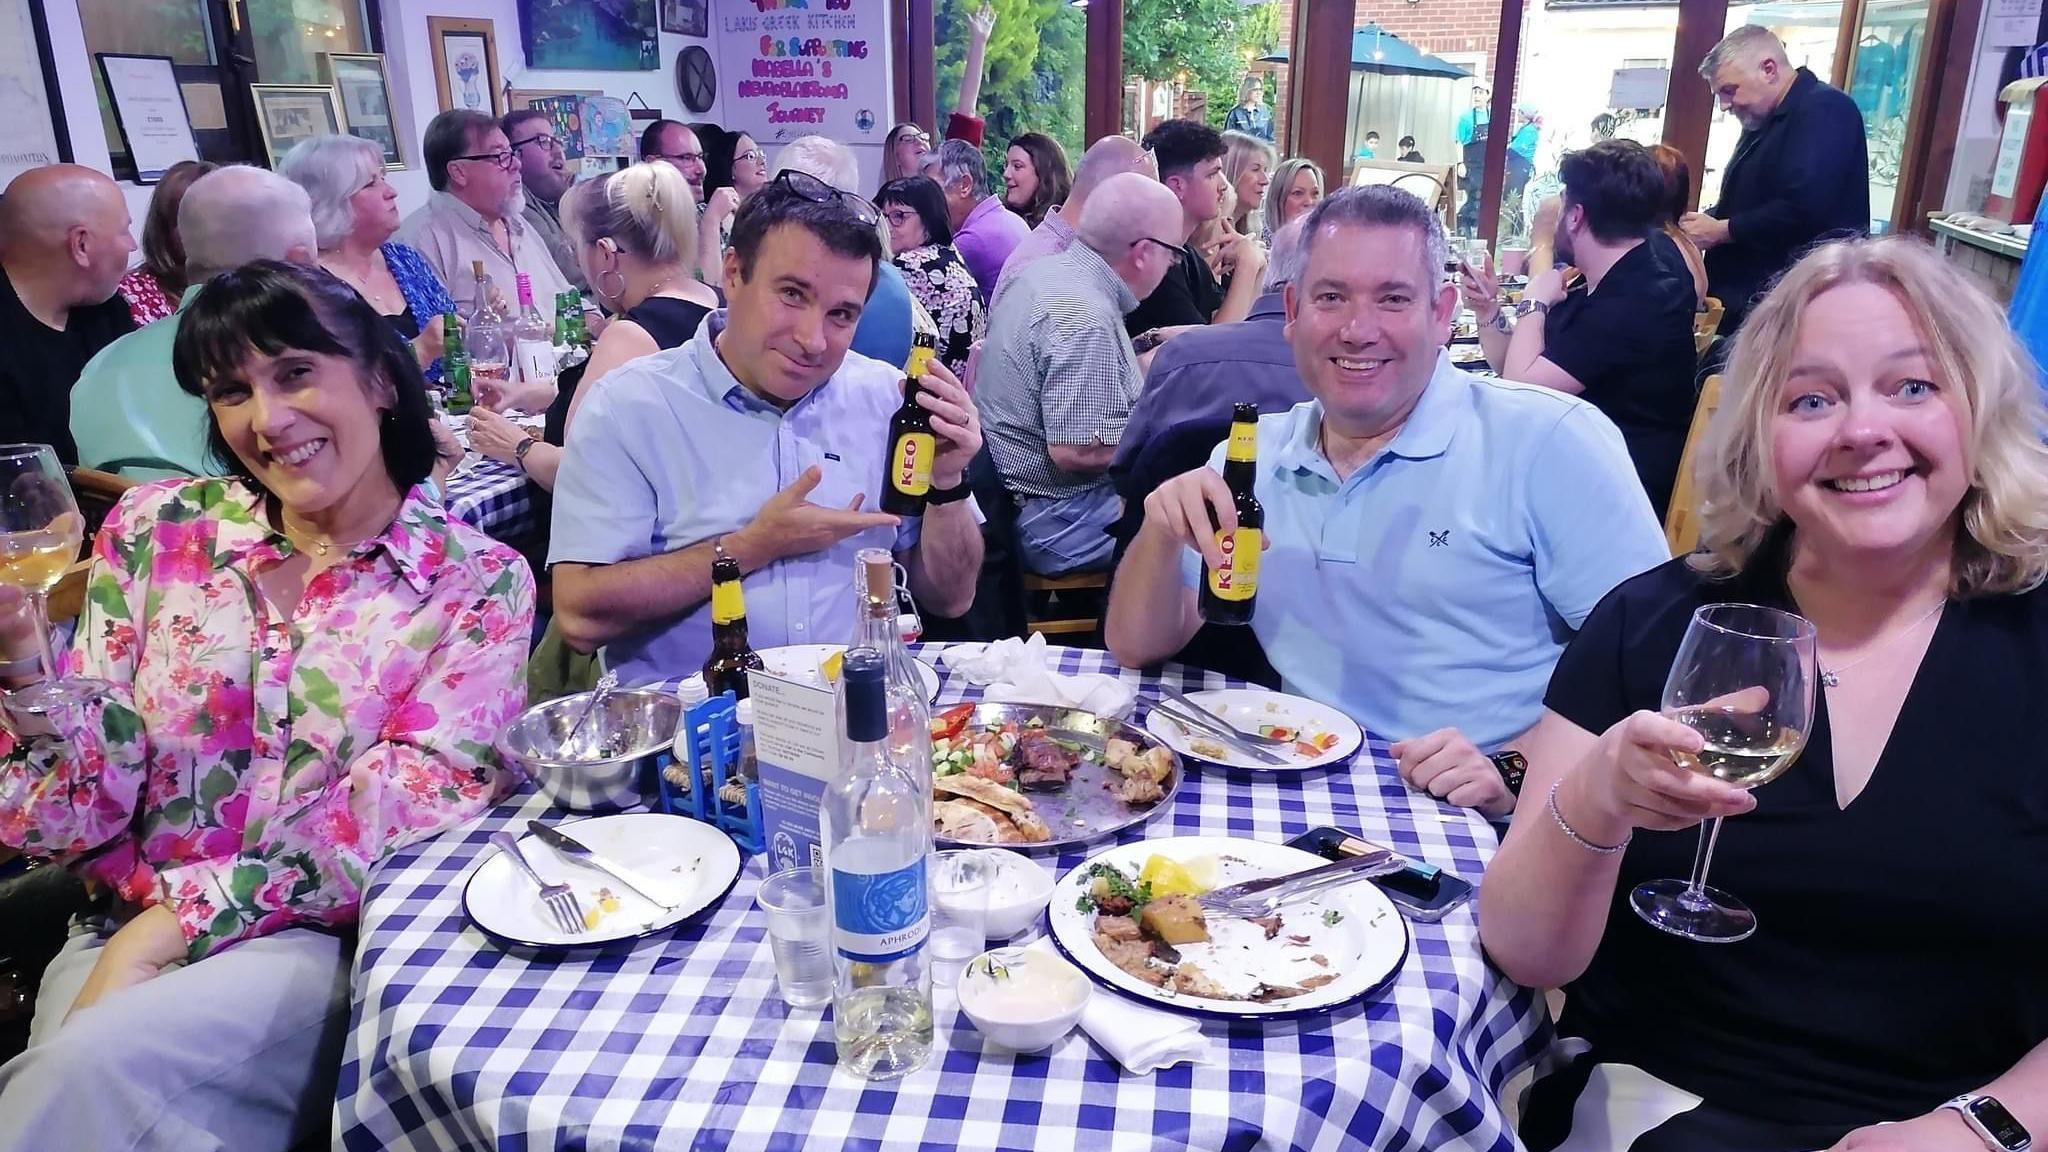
(42, 366)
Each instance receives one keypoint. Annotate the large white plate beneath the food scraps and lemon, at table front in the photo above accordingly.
(1355, 928)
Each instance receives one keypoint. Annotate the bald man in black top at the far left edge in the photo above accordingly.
(67, 247)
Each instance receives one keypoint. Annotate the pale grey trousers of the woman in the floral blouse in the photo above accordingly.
(237, 1053)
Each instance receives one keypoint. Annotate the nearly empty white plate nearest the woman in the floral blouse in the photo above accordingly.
(693, 862)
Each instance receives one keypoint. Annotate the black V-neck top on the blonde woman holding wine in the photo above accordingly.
(1897, 950)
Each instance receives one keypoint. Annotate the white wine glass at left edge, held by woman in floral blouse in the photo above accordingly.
(40, 538)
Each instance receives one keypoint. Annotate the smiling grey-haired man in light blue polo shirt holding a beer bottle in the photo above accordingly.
(1433, 538)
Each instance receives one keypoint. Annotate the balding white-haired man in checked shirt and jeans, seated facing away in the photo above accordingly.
(1058, 376)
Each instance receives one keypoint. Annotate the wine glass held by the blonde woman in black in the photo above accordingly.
(1744, 680)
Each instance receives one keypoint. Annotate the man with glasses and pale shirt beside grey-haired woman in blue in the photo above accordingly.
(474, 214)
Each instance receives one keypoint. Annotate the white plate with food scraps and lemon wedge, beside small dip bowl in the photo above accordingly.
(1312, 956)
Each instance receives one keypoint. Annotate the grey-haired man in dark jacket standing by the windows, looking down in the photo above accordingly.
(1799, 175)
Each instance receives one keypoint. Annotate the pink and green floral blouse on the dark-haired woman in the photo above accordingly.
(251, 770)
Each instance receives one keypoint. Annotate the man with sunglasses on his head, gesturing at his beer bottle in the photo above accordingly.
(763, 438)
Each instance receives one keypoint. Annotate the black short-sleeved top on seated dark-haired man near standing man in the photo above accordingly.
(1631, 347)
